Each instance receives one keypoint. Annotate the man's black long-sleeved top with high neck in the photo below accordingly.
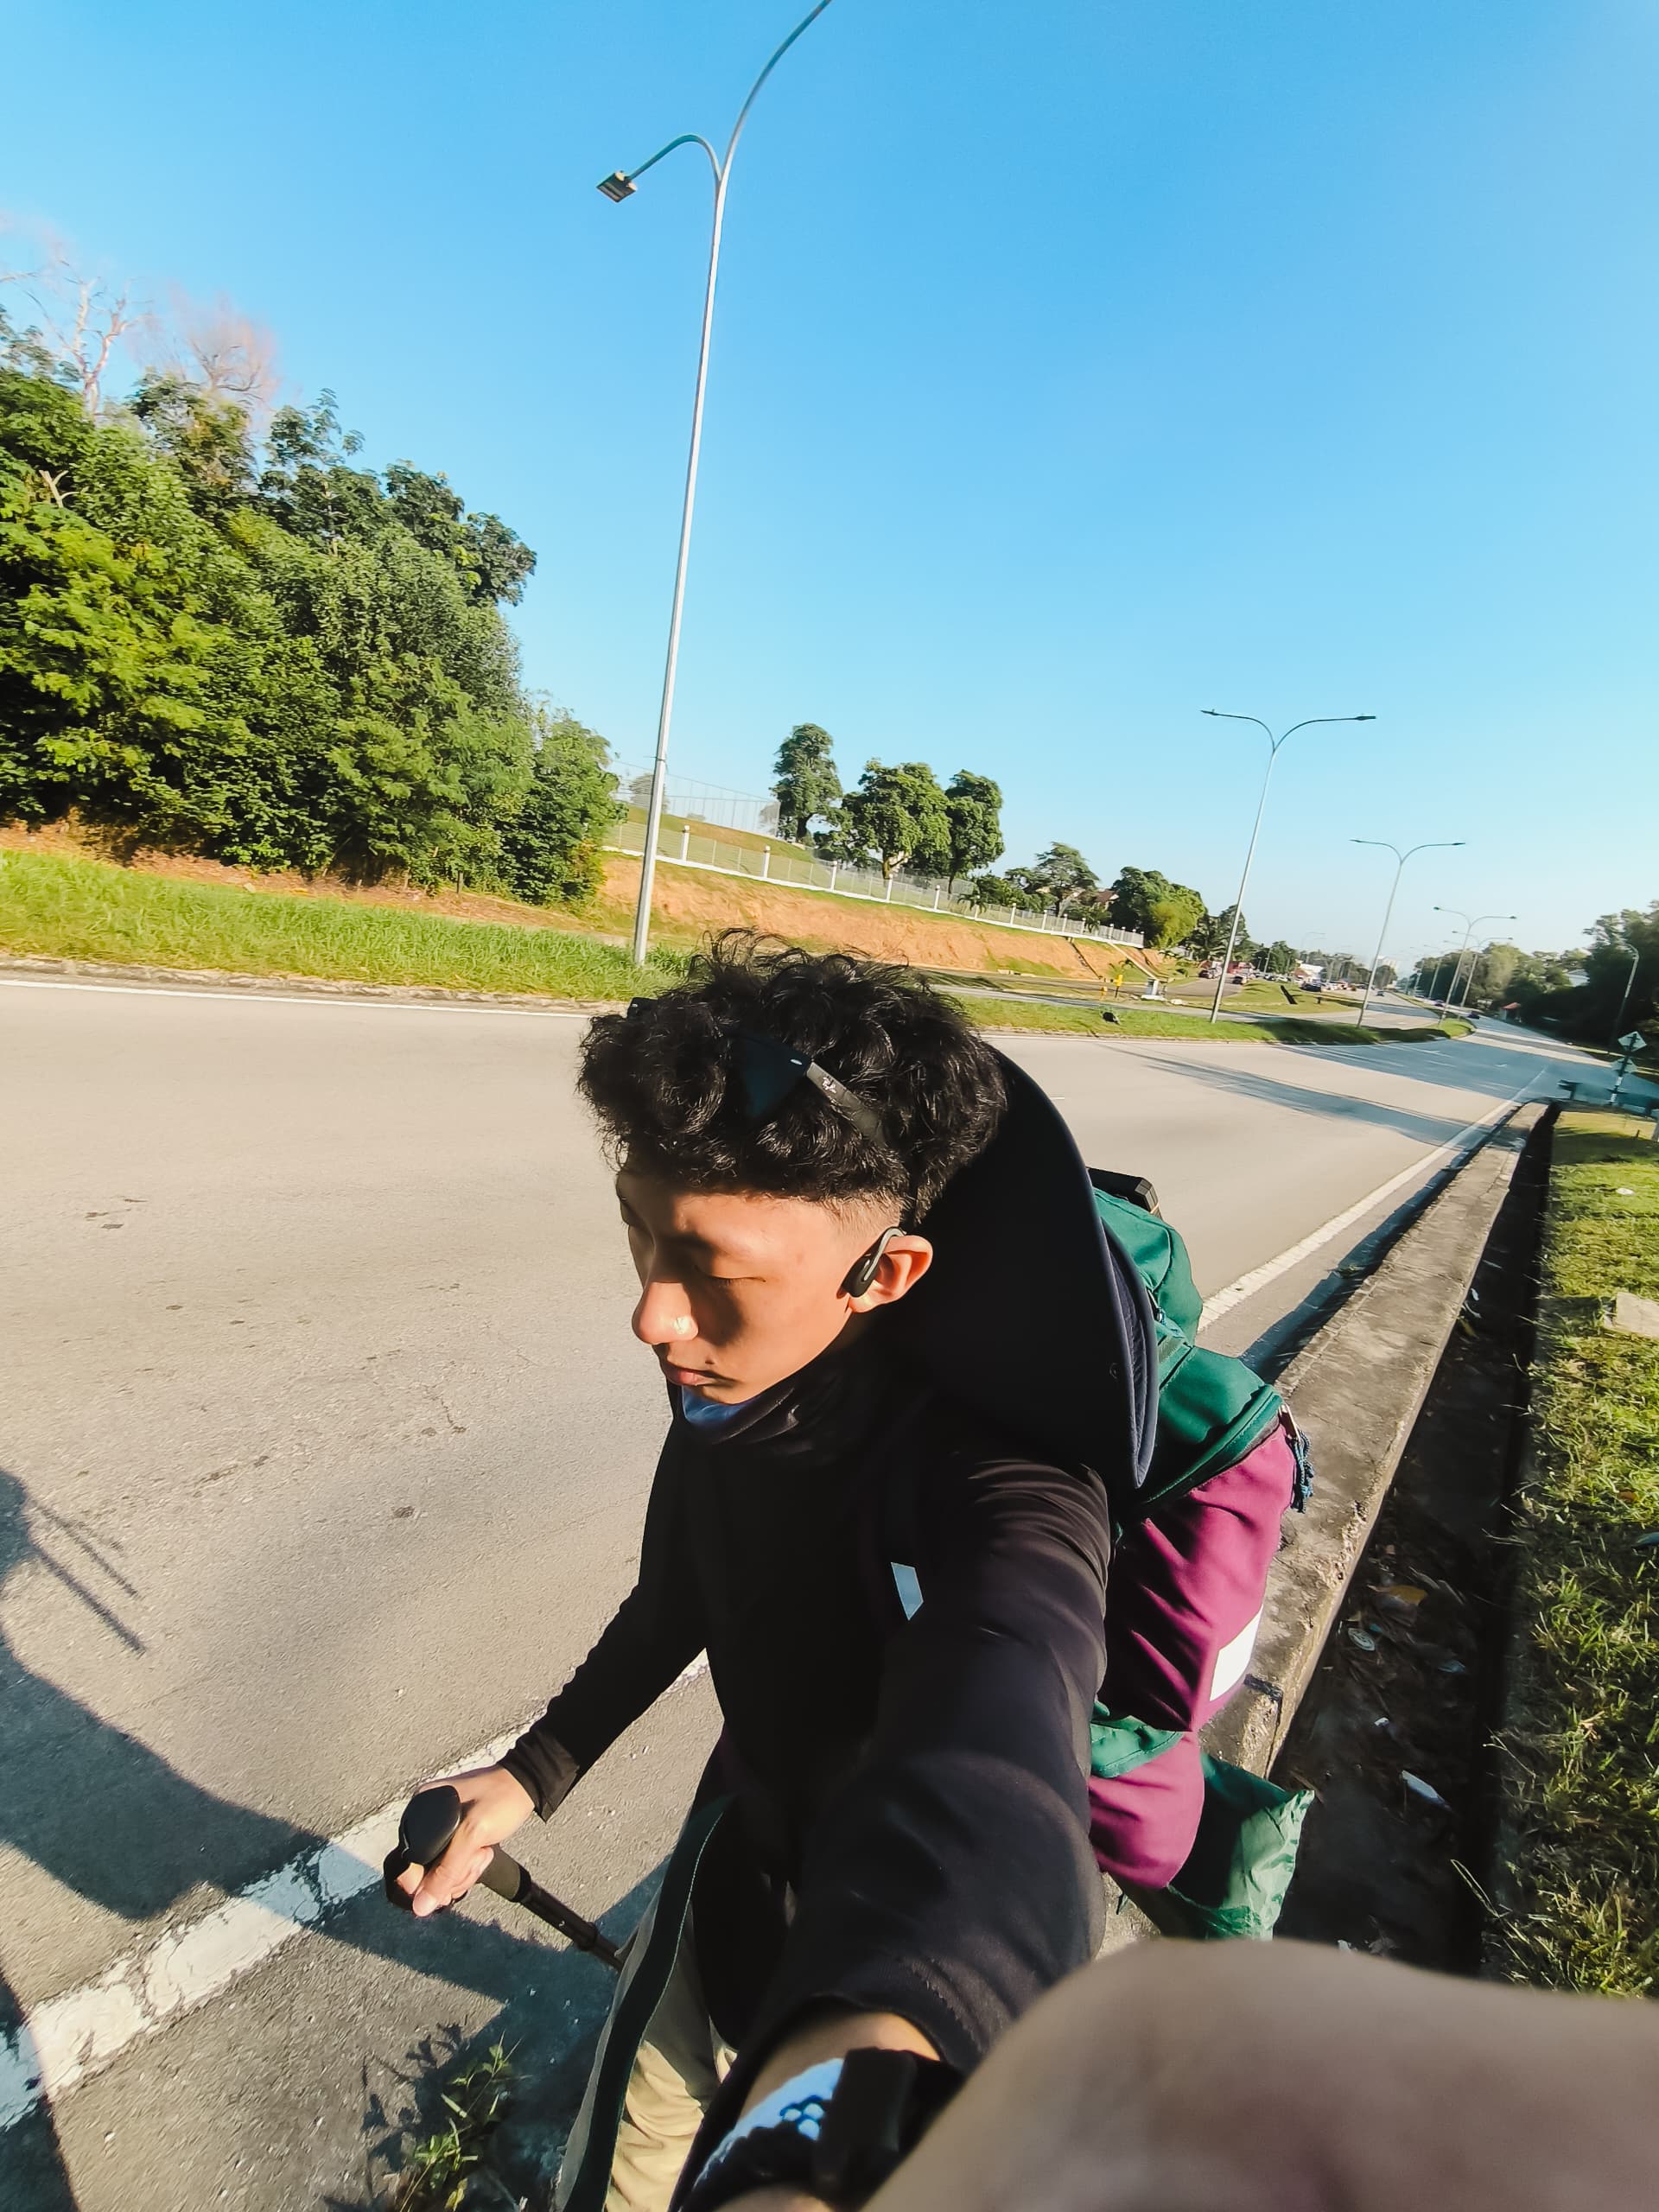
(912, 1822)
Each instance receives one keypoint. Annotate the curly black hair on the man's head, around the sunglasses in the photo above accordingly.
(669, 1094)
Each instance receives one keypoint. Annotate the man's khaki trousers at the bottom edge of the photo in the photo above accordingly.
(674, 2080)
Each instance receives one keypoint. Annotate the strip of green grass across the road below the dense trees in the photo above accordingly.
(83, 910)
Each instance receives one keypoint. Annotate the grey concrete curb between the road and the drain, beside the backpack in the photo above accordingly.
(1357, 1390)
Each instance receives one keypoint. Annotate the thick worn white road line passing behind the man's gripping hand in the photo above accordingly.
(79, 2034)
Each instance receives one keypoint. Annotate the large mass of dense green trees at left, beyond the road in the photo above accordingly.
(275, 660)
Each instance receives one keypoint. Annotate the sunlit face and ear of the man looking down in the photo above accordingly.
(740, 1291)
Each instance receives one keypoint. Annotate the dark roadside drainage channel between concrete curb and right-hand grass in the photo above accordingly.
(1395, 1729)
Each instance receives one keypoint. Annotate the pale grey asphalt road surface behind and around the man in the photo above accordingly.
(322, 1461)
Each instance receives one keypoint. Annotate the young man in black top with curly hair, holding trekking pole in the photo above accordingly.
(835, 1196)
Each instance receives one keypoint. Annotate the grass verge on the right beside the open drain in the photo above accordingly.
(1583, 1733)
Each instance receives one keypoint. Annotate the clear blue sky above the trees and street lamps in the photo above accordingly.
(1078, 366)
